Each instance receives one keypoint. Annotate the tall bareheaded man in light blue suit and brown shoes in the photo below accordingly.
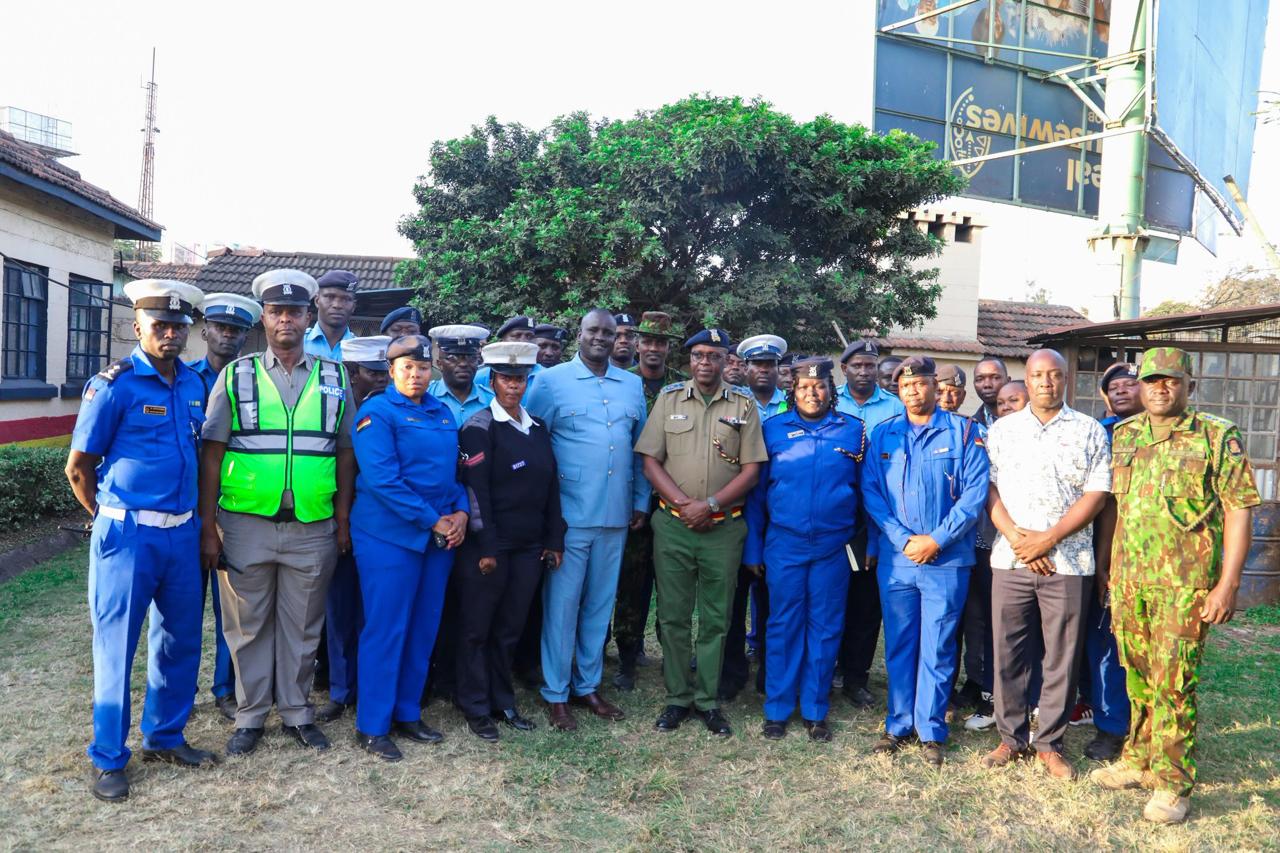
(596, 413)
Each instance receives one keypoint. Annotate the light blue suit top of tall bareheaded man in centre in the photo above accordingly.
(595, 423)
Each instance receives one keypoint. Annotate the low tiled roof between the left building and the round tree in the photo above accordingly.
(232, 271)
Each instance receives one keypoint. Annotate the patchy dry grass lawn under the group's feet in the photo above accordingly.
(609, 786)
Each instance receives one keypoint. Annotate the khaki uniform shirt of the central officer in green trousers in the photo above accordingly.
(703, 446)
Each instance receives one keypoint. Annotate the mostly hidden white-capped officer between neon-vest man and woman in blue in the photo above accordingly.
(367, 366)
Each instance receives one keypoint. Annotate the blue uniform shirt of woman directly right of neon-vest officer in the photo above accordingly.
(409, 460)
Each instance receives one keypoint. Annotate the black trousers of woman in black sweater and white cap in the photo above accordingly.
(492, 614)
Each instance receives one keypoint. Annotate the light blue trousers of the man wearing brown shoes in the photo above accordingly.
(578, 601)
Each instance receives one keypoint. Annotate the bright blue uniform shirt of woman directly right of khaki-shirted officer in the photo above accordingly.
(811, 486)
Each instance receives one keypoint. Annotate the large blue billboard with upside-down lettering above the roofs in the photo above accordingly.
(976, 99)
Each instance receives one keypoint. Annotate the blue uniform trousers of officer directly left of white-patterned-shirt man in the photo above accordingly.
(922, 608)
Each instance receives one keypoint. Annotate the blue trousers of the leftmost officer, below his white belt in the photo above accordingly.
(134, 569)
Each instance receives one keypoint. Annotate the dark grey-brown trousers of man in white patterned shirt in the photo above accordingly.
(1025, 608)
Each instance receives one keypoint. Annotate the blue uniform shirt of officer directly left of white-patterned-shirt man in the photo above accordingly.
(929, 482)
